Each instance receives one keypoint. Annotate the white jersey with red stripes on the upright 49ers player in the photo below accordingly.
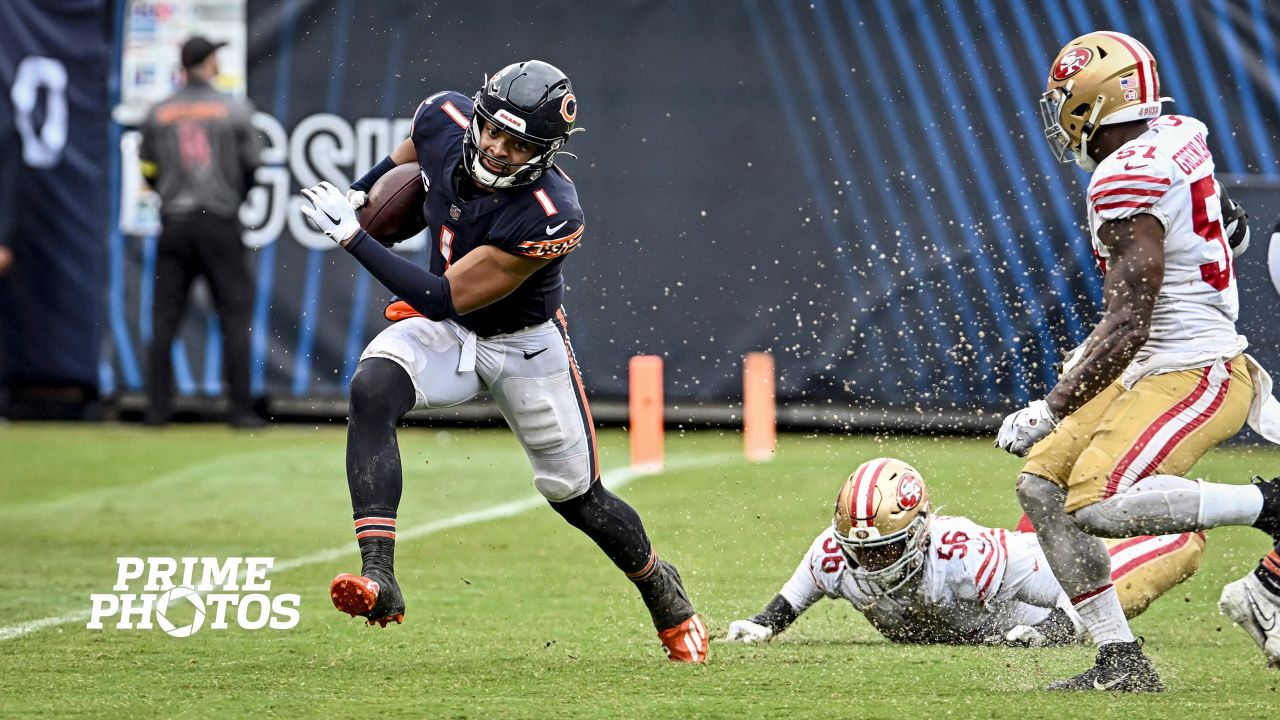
(1168, 174)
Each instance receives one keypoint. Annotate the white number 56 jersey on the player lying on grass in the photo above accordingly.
(977, 584)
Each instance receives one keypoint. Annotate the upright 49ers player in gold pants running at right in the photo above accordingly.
(1164, 377)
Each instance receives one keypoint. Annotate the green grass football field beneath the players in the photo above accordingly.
(522, 617)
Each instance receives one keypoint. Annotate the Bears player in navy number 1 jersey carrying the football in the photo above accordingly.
(486, 317)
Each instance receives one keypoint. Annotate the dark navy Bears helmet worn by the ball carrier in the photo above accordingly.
(533, 102)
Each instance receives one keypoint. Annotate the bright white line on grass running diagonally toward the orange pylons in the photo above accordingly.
(615, 479)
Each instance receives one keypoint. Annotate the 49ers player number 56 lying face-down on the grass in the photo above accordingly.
(925, 578)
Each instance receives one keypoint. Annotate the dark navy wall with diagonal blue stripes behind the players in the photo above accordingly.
(860, 188)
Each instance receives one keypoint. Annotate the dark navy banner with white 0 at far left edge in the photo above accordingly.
(54, 61)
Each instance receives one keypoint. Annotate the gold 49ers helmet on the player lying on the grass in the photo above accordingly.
(883, 522)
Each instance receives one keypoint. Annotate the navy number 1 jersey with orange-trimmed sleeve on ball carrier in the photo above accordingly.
(542, 220)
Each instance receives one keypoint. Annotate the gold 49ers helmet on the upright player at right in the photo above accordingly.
(1100, 79)
